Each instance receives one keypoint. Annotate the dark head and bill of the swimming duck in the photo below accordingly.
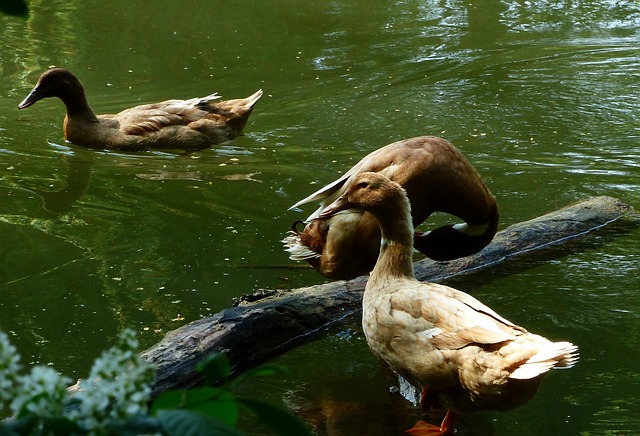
(55, 82)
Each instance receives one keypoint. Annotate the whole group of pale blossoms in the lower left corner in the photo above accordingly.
(118, 387)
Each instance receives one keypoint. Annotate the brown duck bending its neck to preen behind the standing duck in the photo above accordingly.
(436, 176)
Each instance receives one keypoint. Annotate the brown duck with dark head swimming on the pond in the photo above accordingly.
(178, 124)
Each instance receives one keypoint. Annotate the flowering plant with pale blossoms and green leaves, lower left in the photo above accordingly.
(114, 399)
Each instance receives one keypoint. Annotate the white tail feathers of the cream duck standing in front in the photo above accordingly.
(554, 355)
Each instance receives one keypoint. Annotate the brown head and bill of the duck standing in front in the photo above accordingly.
(369, 191)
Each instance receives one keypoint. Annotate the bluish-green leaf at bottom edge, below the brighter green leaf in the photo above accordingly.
(186, 423)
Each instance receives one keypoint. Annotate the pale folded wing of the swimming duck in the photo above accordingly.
(153, 117)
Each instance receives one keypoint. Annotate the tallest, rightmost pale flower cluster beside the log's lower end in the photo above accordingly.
(118, 386)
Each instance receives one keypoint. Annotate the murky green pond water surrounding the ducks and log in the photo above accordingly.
(542, 97)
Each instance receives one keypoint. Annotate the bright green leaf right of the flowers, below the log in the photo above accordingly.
(215, 402)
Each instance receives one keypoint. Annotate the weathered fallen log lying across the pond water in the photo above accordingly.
(256, 331)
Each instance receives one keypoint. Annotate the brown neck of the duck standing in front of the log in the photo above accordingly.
(396, 246)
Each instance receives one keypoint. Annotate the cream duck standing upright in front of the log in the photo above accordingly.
(468, 356)
